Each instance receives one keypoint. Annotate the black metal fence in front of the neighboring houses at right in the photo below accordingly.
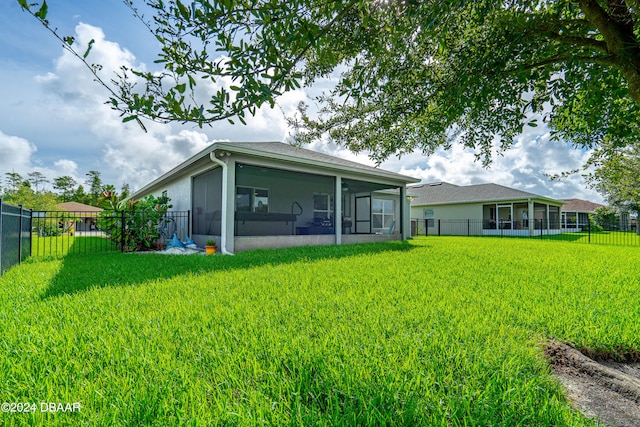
(590, 232)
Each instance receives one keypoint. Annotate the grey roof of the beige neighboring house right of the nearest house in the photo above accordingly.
(442, 193)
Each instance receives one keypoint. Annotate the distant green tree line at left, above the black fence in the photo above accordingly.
(32, 193)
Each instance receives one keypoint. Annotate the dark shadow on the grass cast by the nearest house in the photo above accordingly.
(81, 272)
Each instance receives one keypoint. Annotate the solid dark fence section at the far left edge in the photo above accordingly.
(15, 238)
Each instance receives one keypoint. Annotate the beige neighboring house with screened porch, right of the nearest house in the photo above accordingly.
(483, 209)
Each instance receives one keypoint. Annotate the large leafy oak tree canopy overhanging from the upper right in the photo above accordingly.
(413, 74)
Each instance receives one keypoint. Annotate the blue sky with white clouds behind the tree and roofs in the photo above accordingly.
(53, 118)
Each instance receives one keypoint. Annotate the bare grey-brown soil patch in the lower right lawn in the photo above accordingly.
(599, 387)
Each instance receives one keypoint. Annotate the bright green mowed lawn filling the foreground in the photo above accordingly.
(443, 331)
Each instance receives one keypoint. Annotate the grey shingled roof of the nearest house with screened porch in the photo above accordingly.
(286, 153)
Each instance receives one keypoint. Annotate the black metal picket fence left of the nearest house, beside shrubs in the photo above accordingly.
(57, 233)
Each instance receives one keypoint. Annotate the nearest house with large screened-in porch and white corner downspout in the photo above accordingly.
(269, 194)
